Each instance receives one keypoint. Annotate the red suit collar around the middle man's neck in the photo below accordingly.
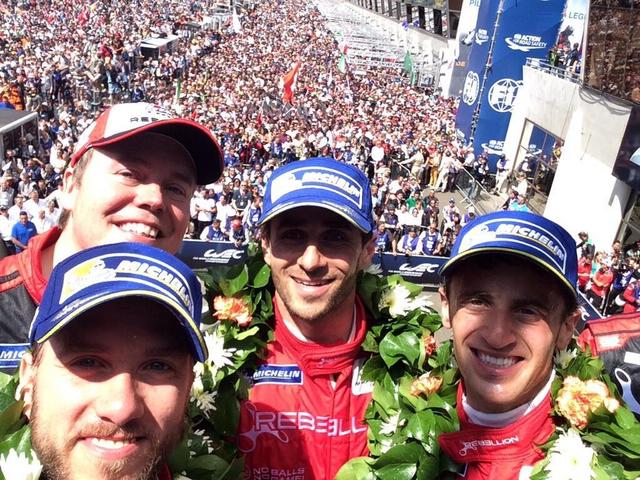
(319, 359)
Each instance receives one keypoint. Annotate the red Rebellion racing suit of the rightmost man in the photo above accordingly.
(498, 453)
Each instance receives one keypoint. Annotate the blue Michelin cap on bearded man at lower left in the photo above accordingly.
(108, 272)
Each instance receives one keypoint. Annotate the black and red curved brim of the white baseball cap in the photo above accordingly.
(197, 140)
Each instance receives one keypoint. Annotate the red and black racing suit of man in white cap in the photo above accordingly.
(22, 285)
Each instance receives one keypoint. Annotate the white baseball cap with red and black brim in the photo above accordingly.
(125, 120)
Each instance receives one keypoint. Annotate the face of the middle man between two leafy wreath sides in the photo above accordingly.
(315, 256)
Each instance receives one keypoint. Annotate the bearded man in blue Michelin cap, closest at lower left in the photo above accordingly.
(106, 384)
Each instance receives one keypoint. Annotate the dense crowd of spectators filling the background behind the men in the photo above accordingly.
(70, 60)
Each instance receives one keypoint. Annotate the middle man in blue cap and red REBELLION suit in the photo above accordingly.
(304, 417)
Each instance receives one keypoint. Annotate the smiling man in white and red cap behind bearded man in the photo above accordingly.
(131, 178)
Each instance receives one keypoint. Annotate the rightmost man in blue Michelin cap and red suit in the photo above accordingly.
(509, 296)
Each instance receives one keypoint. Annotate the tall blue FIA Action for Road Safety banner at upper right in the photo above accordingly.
(526, 30)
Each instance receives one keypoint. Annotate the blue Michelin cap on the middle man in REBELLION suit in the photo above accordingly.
(320, 182)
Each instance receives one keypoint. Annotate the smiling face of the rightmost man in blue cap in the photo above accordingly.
(506, 324)
